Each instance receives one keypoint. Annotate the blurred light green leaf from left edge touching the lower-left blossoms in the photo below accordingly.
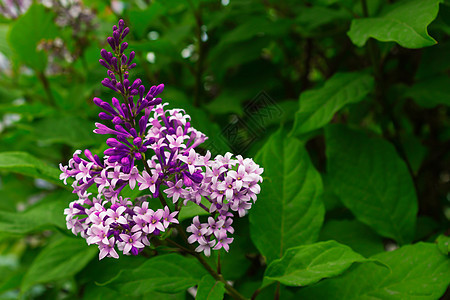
(43, 215)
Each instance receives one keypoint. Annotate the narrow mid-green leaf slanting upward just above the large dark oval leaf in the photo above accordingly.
(317, 107)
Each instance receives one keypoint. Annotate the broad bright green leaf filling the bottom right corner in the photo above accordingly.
(417, 271)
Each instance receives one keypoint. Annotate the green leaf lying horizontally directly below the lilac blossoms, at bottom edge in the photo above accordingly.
(169, 273)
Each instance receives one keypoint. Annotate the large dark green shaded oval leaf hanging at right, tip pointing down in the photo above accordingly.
(372, 181)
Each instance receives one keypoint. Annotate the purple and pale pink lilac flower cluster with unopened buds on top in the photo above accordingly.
(153, 149)
